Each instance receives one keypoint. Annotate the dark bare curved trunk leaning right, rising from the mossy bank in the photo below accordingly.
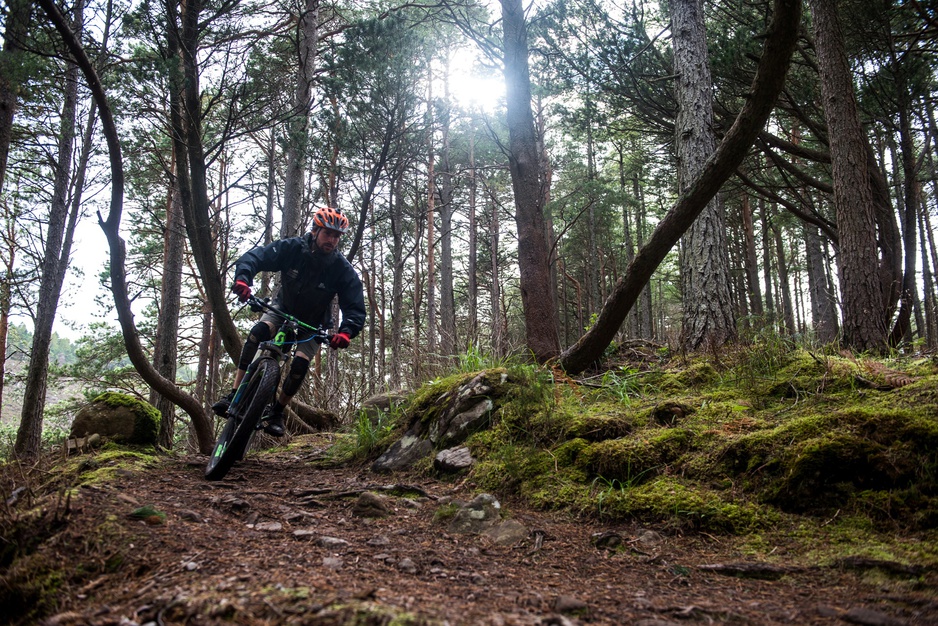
(767, 84)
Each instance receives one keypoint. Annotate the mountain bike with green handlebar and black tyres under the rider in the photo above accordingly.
(258, 389)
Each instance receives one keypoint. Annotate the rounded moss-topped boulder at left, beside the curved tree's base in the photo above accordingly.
(119, 417)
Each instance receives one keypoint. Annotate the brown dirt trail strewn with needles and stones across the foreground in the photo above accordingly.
(278, 542)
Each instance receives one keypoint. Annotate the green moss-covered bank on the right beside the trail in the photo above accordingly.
(773, 435)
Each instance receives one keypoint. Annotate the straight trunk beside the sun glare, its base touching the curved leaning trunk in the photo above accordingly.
(527, 180)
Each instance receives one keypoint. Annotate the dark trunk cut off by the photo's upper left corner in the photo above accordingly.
(11, 73)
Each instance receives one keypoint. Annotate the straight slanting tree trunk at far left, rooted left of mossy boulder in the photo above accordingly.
(54, 267)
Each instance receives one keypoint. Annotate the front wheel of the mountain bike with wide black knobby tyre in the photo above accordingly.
(240, 427)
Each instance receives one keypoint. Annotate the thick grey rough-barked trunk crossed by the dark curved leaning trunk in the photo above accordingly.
(708, 316)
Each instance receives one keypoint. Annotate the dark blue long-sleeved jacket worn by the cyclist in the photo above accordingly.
(309, 280)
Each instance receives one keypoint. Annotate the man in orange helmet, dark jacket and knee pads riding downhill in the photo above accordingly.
(312, 272)
